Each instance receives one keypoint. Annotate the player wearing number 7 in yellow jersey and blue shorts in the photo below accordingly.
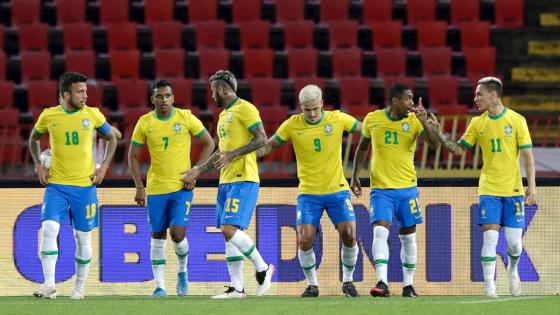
(166, 132)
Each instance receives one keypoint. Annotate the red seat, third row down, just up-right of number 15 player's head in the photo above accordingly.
(258, 63)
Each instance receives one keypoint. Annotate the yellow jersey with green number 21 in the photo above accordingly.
(393, 142)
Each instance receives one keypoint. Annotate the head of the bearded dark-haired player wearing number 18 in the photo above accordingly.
(73, 89)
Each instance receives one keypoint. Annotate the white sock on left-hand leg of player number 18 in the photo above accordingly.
(49, 250)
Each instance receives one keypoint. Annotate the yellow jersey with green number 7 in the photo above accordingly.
(169, 143)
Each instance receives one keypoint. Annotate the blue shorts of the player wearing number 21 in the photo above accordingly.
(402, 203)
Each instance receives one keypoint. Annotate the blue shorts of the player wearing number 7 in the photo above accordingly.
(169, 209)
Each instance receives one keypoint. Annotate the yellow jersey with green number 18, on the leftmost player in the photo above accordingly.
(71, 140)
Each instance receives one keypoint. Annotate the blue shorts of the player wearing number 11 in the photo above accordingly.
(505, 211)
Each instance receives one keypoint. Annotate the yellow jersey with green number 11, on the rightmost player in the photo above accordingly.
(500, 138)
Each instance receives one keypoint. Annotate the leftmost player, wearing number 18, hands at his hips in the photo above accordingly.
(72, 177)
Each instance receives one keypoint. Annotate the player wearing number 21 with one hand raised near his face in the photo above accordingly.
(393, 133)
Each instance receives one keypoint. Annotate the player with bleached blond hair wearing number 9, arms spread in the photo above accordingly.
(317, 139)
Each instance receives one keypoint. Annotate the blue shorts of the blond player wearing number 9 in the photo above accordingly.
(338, 205)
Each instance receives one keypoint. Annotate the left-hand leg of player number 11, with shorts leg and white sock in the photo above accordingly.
(489, 217)
